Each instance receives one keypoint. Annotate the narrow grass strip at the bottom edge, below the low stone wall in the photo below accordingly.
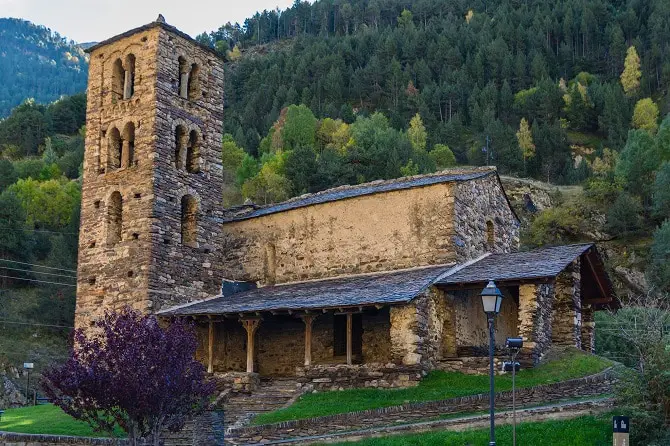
(582, 431)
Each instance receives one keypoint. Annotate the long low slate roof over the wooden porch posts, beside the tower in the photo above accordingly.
(384, 288)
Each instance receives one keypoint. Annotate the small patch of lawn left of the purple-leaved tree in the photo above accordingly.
(46, 419)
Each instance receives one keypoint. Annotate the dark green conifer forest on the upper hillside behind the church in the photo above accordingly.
(472, 70)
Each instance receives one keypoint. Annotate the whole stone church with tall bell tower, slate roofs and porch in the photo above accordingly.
(372, 284)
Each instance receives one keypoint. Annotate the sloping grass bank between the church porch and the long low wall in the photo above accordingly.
(436, 386)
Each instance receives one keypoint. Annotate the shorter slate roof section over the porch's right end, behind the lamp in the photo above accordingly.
(537, 264)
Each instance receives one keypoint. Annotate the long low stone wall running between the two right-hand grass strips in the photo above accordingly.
(587, 386)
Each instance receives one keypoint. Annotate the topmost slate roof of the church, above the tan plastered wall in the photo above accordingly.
(342, 192)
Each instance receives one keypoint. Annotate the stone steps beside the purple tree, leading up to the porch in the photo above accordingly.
(271, 394)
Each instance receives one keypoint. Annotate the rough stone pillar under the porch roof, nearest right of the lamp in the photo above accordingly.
(535, 317)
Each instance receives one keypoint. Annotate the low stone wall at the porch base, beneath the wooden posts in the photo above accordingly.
(342, 376)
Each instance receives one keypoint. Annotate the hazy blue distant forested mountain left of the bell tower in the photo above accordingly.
(37, 63)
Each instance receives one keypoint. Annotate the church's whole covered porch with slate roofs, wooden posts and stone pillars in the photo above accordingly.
(388, 329)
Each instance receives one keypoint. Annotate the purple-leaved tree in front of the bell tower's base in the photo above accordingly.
(130, 371)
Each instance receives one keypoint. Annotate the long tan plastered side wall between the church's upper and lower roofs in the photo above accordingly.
(379, 232)
